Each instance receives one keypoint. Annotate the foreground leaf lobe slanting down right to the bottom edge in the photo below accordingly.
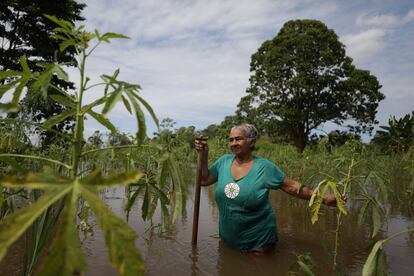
(119, 237)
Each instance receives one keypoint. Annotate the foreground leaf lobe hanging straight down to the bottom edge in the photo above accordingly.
(65, 256)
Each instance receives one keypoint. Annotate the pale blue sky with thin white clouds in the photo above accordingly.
(192, 57)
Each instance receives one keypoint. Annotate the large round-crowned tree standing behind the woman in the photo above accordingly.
(303, 78)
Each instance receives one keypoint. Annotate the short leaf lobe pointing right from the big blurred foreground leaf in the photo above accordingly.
(113, 180)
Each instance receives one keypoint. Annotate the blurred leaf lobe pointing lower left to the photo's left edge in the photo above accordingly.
(15, 224)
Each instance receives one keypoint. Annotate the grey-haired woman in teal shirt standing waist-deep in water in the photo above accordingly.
(247, 221)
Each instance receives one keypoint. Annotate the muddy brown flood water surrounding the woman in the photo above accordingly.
(173, 254)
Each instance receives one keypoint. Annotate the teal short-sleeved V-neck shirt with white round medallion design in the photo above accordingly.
(246, 218)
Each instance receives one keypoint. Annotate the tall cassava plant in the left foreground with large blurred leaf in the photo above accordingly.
(63, 180)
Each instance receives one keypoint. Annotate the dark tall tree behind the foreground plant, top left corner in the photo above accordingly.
(25, 31)
